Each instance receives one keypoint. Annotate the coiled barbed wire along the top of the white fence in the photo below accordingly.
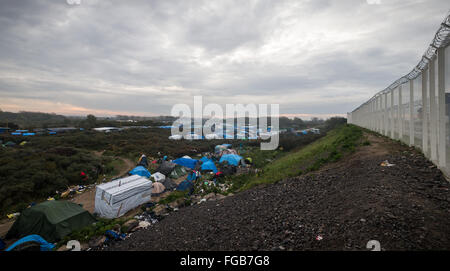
(441, 39)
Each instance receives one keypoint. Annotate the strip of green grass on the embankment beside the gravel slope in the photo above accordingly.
(330, 148)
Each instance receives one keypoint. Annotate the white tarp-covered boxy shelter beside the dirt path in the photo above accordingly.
(115, 198)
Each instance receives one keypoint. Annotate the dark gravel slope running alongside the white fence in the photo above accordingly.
(346, 204)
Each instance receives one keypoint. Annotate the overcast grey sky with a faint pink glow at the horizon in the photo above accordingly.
(314, 57)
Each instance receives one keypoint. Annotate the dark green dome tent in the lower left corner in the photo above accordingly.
(52, 220)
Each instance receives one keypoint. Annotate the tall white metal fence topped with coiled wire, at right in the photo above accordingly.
(416, 108)
